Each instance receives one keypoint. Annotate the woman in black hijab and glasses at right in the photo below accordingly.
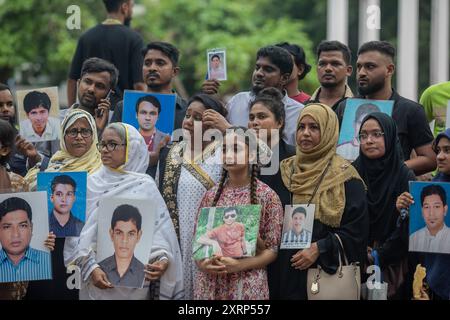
(381, 166)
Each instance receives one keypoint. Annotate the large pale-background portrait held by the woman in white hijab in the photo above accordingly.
(124, 239)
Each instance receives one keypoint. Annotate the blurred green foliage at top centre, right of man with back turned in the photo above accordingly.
(238, 26)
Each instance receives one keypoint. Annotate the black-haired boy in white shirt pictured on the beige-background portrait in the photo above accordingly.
(39, 125)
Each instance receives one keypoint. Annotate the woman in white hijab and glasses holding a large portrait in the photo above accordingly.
(125, 160)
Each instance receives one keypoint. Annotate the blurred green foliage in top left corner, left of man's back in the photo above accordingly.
(35, 38)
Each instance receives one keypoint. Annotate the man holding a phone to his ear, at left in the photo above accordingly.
(98, 77)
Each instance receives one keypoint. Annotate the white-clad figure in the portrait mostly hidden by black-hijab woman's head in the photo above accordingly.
(350, 149)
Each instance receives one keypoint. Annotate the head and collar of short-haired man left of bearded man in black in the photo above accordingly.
(333, 68)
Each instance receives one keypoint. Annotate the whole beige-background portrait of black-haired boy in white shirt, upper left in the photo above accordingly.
(38, 113)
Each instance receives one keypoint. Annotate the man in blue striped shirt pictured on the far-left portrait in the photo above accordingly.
(18, 260)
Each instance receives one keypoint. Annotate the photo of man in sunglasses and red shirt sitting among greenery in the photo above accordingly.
(227, 231)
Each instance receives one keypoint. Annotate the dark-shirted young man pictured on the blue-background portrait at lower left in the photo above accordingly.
(61, 220)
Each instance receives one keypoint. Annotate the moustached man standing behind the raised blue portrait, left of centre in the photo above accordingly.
(159, 69)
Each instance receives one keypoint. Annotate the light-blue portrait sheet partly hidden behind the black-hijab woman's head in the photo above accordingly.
(355, 111)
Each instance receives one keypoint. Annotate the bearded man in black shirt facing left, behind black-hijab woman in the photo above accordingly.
(375, 68)
